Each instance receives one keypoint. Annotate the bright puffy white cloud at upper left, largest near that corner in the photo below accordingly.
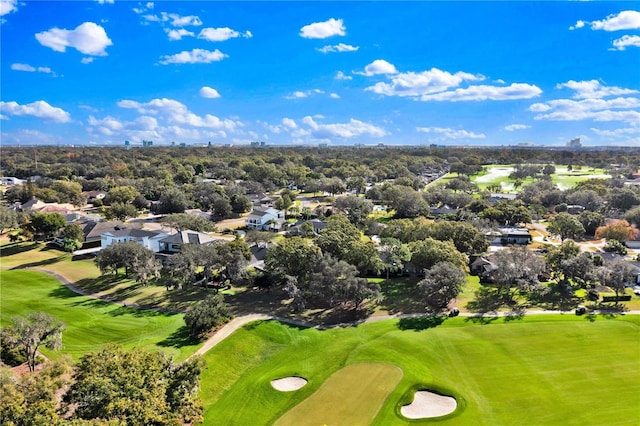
(88, 38)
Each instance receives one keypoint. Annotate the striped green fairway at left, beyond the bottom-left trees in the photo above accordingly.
(91, 323)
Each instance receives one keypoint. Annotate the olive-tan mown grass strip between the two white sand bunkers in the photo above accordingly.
(351, 396)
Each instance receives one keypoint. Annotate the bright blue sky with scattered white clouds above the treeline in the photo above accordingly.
(465, 73)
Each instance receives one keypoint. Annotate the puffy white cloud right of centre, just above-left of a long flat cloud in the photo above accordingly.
(423, 83)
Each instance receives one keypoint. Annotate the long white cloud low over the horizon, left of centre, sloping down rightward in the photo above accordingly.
(178, 113)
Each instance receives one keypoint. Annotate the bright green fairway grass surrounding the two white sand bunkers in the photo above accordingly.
(540, 370)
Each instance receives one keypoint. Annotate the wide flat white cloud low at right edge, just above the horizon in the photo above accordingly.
(617, 109)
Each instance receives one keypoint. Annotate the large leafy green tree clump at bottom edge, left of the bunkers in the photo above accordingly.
(136, 388)
